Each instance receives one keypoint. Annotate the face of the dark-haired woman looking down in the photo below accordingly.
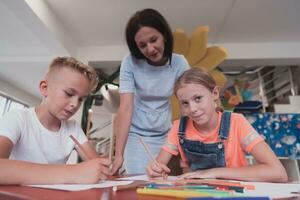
(151, 44)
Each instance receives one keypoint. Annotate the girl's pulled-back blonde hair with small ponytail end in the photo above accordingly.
(197, 76)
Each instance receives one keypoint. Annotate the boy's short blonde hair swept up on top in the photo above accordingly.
(71, 63)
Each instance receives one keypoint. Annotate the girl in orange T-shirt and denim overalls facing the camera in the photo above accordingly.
(212, 143)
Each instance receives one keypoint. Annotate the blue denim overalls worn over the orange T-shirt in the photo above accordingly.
(201, 155)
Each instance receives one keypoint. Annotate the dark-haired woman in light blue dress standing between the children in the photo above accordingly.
(147, 79)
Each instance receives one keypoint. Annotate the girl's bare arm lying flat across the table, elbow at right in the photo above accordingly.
(268, 168)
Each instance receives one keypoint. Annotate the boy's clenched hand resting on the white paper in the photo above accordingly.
(91, 171)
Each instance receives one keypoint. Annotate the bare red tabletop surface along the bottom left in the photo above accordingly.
(31, 193)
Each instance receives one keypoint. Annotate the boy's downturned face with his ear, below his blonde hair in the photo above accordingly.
(64, 90)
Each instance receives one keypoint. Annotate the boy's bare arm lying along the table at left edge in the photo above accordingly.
(20, 172)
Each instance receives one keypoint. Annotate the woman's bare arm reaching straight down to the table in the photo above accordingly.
(123, 122)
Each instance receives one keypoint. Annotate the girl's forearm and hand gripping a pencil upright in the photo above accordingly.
(159, 167)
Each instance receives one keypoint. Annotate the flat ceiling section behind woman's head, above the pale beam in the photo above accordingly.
(102, 22)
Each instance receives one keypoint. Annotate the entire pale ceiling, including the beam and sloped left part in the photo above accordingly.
(255, 32)
